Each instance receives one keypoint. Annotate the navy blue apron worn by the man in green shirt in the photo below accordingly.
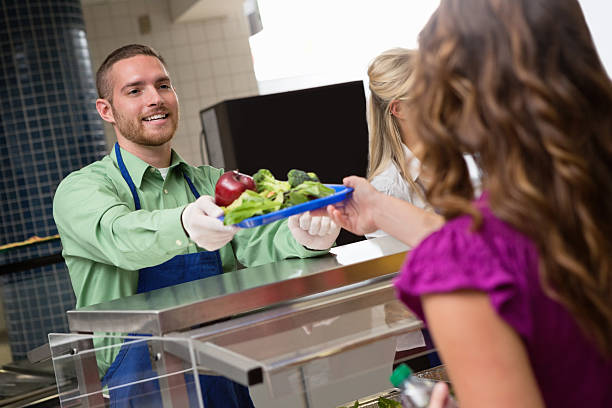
(133, 362)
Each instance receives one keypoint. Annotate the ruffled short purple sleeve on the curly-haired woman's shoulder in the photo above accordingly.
(454, 258)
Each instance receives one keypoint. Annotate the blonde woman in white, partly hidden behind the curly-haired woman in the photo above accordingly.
(395, 153)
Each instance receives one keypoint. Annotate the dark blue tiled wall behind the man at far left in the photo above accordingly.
(48, 128)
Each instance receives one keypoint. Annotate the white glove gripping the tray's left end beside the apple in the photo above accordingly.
(200, 221)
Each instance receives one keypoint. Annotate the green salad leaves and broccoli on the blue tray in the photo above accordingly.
(272, 195)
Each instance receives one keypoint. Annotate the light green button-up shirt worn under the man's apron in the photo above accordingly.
(106, 241)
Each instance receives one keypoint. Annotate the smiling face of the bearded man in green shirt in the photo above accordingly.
(144, 104)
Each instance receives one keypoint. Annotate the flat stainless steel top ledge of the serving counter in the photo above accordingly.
(199, 302)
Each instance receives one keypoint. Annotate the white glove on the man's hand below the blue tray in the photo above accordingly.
(316, 233)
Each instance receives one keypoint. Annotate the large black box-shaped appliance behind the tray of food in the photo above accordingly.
(321, 129)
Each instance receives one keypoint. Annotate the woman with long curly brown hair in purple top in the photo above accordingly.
(515, 287)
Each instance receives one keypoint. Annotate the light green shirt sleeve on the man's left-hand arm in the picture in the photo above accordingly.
(94, 223)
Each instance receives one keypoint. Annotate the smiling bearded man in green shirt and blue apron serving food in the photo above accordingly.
(141, 219)
